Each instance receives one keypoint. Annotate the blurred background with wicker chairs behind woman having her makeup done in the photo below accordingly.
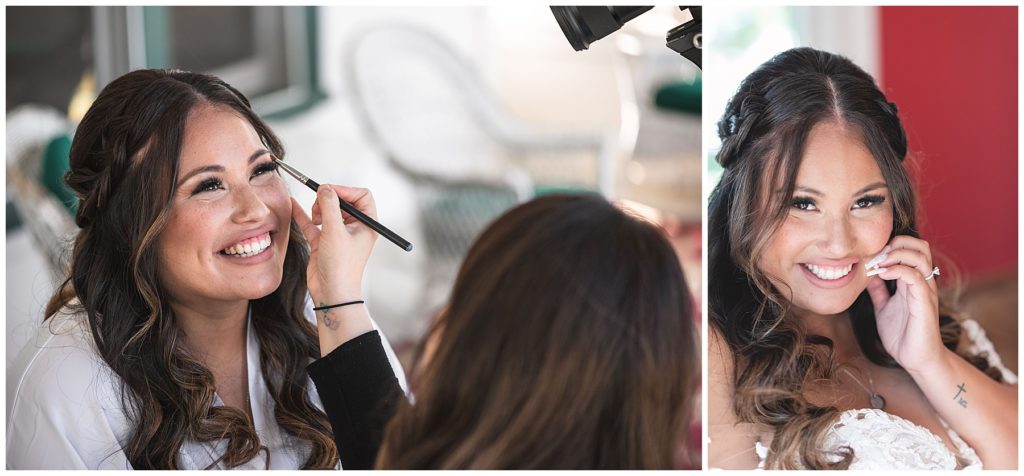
(451, 116)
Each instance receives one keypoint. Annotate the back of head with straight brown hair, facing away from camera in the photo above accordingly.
(568, 343)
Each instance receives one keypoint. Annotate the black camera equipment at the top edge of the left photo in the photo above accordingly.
(585, 25)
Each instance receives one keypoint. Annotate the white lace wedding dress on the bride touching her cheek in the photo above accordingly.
(885, 442)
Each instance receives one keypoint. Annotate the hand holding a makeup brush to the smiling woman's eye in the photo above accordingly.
(340, 247)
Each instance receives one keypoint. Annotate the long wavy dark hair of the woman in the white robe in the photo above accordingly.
(124, 162)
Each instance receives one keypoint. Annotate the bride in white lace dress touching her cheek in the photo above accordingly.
(830, 347)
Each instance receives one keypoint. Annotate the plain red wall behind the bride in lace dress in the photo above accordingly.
(953, 73)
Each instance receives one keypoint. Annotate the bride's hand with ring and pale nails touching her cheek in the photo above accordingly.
(908, 321)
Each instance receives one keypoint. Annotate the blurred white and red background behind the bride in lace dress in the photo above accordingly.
(953, 73)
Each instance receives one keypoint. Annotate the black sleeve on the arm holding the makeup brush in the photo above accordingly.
(360, 393)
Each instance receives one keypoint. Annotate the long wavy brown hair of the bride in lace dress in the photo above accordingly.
(764, 132)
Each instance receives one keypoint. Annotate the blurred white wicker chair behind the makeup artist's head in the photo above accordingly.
(435, 120)
